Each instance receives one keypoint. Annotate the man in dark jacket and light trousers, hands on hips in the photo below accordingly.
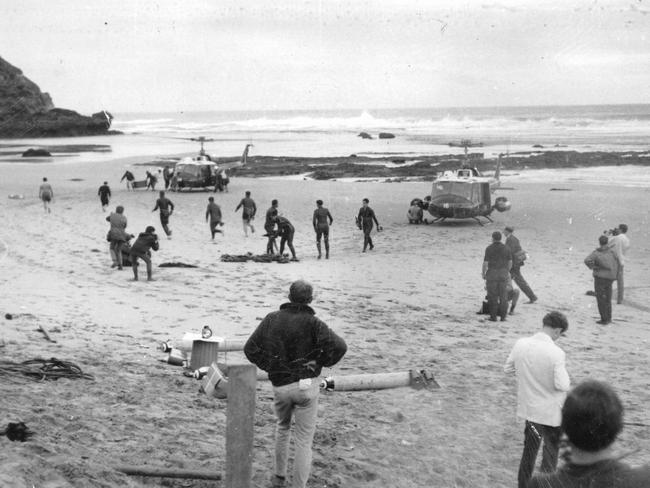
(293, 345)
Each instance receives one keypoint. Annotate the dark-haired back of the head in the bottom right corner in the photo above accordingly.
(592, 416)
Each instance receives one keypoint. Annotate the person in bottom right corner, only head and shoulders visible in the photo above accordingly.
(592, 418)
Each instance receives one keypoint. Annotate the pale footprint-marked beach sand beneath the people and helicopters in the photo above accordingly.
(410, 303)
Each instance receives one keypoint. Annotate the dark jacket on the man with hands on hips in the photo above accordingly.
(287, 339)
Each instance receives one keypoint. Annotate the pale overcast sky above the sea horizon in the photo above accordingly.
(185, 55)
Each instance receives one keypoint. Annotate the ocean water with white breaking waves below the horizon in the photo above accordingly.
(320, 133)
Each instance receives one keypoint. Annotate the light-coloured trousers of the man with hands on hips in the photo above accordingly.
(290, 401)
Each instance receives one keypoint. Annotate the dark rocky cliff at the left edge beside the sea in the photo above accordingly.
(25, 111)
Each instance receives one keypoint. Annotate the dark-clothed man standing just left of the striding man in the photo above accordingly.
(496, 273)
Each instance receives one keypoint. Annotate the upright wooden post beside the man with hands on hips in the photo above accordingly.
(240, 416)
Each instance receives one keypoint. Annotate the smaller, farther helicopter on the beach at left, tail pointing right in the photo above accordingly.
(201, 171)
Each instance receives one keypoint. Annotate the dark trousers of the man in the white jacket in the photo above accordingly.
(534, 433)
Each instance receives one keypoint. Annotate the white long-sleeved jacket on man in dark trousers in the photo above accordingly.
(542, 379)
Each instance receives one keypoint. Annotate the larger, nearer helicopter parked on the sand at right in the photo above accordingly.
(465, 193)
